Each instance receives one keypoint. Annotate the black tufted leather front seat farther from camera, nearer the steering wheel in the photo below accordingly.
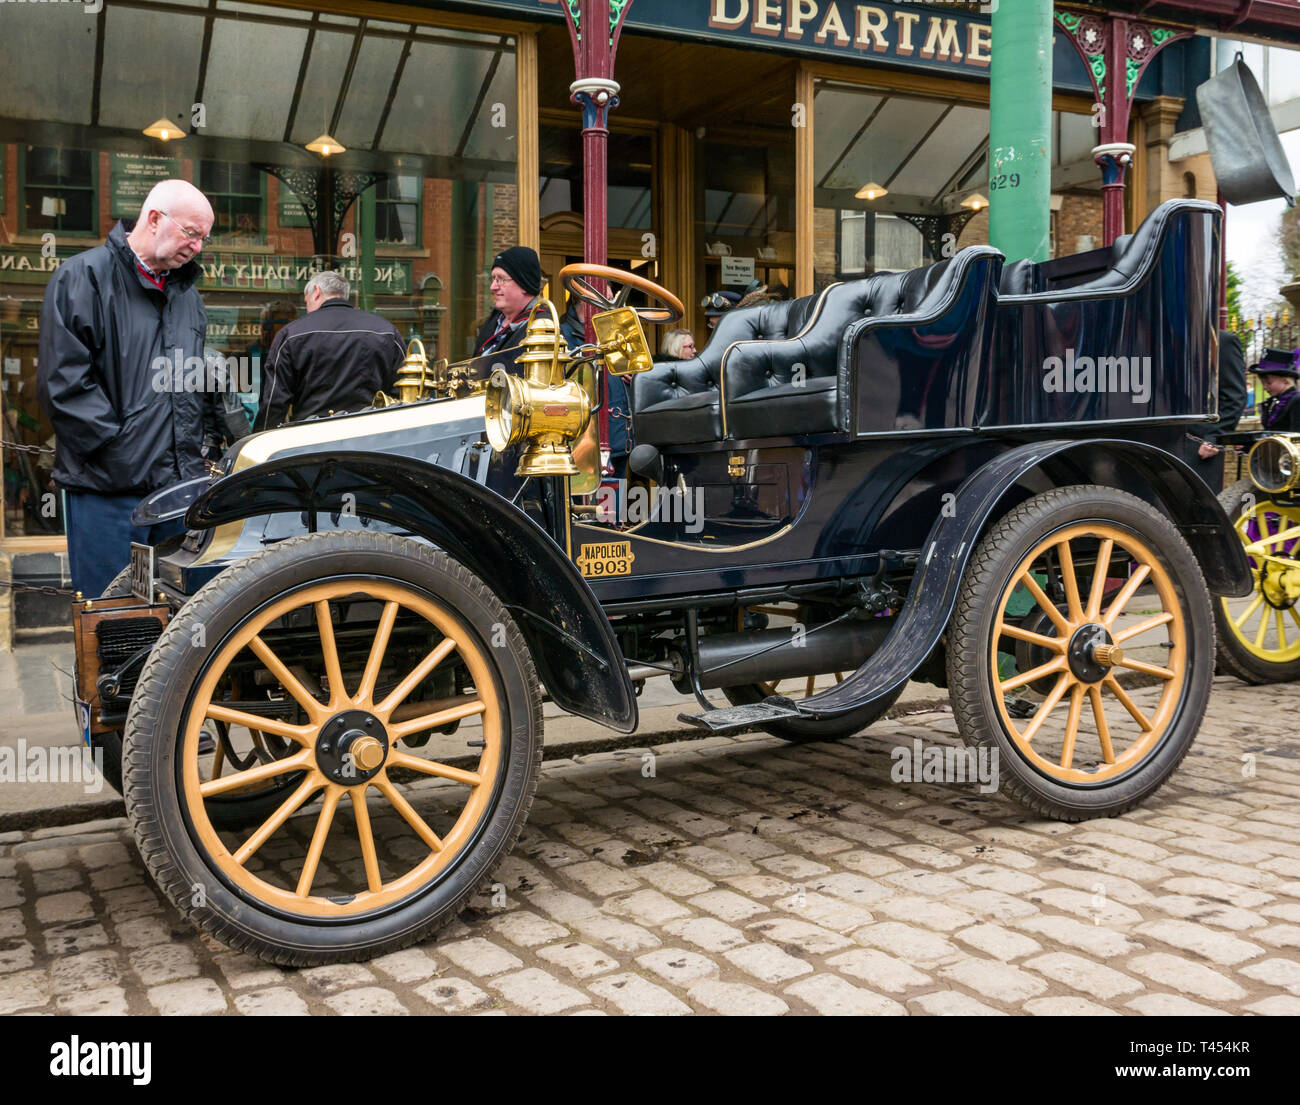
(681, 402)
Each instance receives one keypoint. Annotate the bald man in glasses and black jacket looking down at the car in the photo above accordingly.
(122, 376)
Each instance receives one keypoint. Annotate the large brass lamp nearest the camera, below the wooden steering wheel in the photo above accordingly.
(541, 408)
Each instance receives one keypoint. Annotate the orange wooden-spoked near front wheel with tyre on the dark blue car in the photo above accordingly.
(369, 644)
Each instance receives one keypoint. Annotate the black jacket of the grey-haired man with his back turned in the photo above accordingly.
(333, 359)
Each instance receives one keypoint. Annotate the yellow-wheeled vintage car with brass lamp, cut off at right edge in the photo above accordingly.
(1259, 638)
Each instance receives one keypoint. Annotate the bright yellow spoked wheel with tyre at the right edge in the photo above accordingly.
(1259, 636)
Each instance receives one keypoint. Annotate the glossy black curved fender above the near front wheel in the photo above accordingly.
(573, 644)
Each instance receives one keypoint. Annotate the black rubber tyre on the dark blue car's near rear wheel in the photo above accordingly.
(969, 636)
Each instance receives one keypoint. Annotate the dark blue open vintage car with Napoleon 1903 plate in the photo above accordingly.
(969, 474)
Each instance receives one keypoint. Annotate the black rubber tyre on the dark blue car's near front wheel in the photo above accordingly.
(154, 803)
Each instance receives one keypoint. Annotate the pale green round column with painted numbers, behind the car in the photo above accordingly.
(1020, 137)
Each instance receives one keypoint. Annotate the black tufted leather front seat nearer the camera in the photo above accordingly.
(768, 395)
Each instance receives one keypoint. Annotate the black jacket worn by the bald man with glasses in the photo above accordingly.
(122, 423)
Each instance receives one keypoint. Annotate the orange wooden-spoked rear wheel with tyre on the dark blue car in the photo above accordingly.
(1100, 708)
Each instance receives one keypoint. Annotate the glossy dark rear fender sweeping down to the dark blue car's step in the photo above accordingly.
(956, 534)
